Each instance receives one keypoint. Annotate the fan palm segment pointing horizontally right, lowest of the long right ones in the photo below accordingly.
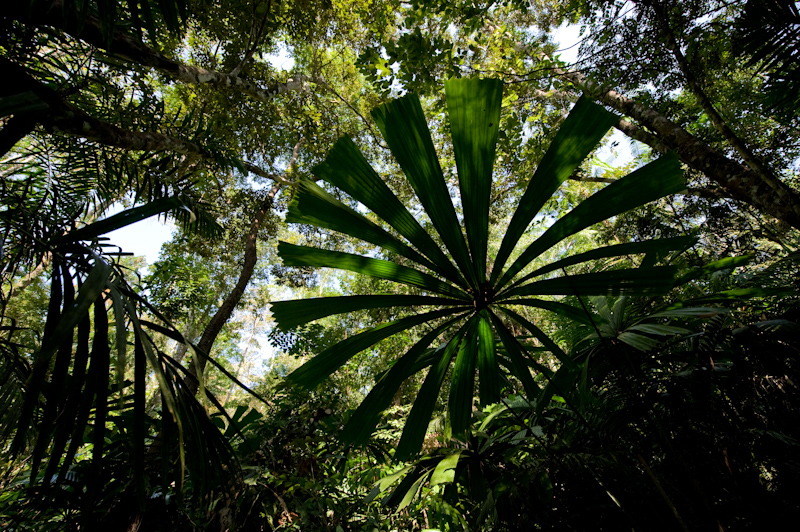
(656, 280)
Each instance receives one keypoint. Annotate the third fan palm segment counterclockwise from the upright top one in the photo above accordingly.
(312, 205)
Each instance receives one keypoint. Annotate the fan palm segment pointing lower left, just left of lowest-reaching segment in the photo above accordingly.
(363, 421)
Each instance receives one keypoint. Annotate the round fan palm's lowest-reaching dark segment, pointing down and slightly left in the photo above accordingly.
(417, 423)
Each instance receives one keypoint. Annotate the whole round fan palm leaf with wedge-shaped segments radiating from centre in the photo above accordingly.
(468, 292)
